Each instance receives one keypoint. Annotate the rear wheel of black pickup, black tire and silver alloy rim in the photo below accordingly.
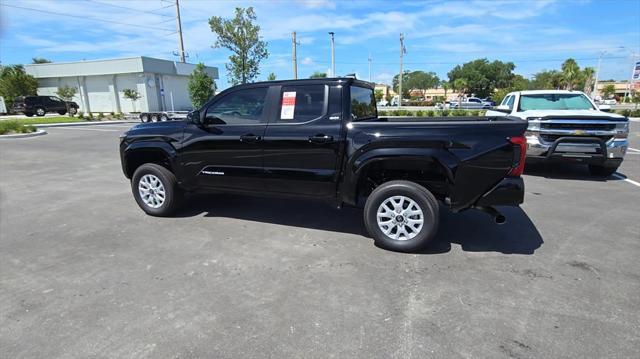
(401, 216)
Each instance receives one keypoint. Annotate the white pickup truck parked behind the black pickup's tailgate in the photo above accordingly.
(568, 126)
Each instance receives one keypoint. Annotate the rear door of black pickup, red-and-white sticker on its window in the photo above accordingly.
(302, 141)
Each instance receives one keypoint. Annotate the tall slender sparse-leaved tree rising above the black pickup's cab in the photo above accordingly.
(241, 36)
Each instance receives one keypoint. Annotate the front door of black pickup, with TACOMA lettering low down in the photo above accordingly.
(227, 153)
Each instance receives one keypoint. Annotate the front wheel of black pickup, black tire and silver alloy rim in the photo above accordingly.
(155, 189)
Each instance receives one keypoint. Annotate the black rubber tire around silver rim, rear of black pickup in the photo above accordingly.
(421, 197)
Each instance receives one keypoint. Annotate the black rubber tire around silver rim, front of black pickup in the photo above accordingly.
(173, 195)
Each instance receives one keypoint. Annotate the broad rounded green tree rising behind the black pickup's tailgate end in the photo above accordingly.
(483, 77)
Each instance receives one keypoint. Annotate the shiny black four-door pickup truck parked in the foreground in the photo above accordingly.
(322, 138)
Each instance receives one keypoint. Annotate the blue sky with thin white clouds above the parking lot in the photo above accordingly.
(535, 35)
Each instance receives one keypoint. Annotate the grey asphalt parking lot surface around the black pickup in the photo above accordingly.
(84, 273)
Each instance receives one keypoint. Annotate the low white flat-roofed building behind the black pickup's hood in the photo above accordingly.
(162, 84)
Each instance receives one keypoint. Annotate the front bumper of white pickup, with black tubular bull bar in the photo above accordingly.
(588, 150)
